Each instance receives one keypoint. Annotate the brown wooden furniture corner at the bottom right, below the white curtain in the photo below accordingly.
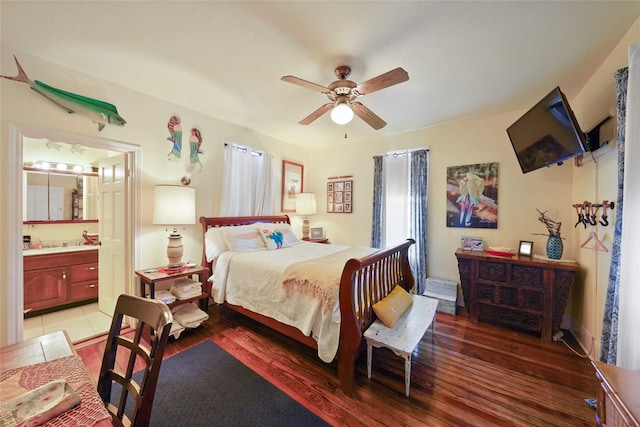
(618, 396)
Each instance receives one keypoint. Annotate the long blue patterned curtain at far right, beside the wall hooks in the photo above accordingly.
(609, 338)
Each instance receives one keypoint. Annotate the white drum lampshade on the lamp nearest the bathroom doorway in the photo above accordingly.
(174, 205)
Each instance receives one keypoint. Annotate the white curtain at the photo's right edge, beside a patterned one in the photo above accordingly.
(628, 349)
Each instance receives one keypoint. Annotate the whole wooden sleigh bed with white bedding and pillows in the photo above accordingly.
(361, 281)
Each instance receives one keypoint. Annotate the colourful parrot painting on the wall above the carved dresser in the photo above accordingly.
(472, 196)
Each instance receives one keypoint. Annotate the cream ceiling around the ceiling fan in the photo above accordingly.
(225, 59)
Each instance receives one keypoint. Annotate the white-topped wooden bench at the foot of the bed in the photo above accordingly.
(405, 335)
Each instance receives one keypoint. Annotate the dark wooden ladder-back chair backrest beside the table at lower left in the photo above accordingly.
(154, 320)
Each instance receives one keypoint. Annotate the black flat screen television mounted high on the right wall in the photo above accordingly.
(547, 134)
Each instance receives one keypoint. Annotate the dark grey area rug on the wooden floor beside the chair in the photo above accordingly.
(206, 386)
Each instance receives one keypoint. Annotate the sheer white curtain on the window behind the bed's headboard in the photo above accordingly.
(248, 186)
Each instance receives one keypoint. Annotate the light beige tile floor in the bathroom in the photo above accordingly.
(80, 323)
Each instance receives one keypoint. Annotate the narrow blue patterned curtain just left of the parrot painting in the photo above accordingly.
(418, 220)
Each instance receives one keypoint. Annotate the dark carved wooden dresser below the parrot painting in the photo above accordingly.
(526, 293)
